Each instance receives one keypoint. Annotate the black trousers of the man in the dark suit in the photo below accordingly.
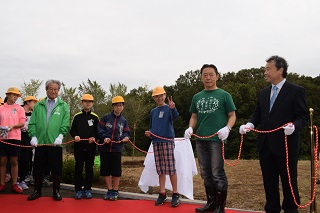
(273, 167)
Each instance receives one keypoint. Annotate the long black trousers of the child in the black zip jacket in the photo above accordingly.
(83, 159)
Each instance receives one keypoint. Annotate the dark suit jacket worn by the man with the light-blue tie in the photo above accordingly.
(289, 106)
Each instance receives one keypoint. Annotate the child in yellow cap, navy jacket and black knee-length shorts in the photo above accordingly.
(113, 130)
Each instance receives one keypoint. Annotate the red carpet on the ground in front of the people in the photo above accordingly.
(19, 203)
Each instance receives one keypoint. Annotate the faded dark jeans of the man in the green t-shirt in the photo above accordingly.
(211, 164)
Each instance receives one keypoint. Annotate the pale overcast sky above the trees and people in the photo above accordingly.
(151, 42)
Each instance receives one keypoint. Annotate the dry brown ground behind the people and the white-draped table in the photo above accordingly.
(245, 183)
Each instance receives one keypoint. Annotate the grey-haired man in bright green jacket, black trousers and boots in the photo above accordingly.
(49, 122)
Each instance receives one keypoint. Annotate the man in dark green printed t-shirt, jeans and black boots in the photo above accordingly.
(212, 111)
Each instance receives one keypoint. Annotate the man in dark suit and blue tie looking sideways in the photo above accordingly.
(281, 103)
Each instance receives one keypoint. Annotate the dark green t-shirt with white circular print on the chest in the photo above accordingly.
(212, 108)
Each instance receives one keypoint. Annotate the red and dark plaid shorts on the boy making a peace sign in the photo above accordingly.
(164, 158)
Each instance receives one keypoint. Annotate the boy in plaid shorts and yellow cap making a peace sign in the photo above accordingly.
(161, 125)
